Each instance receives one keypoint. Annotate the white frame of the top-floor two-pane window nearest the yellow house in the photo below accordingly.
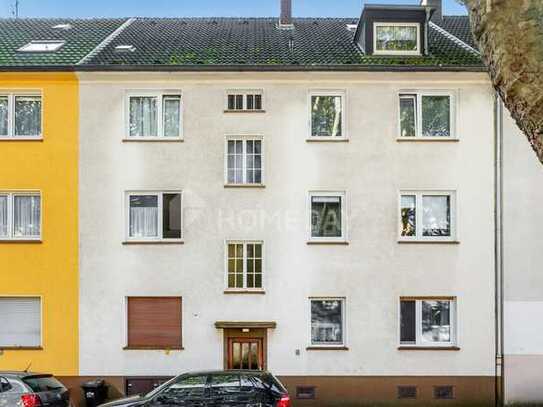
(160, 95)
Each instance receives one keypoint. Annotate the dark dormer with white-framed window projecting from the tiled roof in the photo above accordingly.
(393, 30)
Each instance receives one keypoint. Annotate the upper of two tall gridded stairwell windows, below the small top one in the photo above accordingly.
(244, 161)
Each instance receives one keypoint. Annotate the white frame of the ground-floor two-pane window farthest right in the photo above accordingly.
(419, 342)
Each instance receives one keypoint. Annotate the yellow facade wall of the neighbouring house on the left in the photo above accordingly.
(48, 269)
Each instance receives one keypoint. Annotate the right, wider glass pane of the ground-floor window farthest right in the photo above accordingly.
(436, 325)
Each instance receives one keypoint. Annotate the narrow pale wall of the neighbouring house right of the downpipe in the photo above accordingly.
(523, 259)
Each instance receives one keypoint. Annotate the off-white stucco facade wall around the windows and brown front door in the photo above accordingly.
(372, 272)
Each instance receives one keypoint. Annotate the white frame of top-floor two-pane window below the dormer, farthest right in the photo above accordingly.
(418, 113)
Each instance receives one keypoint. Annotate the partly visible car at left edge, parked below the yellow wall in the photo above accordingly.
(23, 389)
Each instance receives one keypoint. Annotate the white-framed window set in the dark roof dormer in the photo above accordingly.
(396, 38)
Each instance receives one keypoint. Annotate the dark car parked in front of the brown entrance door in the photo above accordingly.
(230, 388)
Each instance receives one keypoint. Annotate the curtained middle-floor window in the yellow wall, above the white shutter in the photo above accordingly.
(20, 215)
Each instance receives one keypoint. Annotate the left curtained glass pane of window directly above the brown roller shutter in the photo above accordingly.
(143, 216)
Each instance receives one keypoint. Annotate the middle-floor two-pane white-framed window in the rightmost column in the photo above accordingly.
(427, 215)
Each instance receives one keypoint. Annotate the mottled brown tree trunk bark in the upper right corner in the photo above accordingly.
(510, 37)
